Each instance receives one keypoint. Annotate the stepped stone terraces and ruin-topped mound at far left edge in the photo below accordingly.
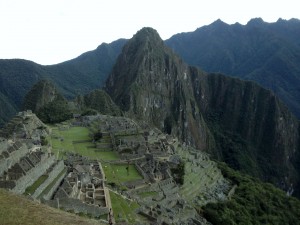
(23, 160)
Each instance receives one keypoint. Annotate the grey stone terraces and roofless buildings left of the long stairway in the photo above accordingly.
(76, 184)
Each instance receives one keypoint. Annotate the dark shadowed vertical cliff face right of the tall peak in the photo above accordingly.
(251, 127)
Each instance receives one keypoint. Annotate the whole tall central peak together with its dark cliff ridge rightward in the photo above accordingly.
(236, 121)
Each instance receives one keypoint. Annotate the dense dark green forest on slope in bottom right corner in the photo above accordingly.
(253, 202)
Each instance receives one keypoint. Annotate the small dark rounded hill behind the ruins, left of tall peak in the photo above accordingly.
(47, 103)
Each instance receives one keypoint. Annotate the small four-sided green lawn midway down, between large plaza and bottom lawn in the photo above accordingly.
(118, 173)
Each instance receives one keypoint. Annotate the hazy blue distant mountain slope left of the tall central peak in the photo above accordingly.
(76, 76)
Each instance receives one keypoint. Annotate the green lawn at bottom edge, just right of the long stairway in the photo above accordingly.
(124, 208)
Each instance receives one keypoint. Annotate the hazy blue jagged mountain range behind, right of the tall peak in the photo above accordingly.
(267, 53)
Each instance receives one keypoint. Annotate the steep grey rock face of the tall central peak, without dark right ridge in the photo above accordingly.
(152, 84)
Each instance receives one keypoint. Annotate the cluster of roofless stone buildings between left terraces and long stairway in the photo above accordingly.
(83, 189)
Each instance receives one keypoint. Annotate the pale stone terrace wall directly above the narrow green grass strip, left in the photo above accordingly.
(32, 175)
